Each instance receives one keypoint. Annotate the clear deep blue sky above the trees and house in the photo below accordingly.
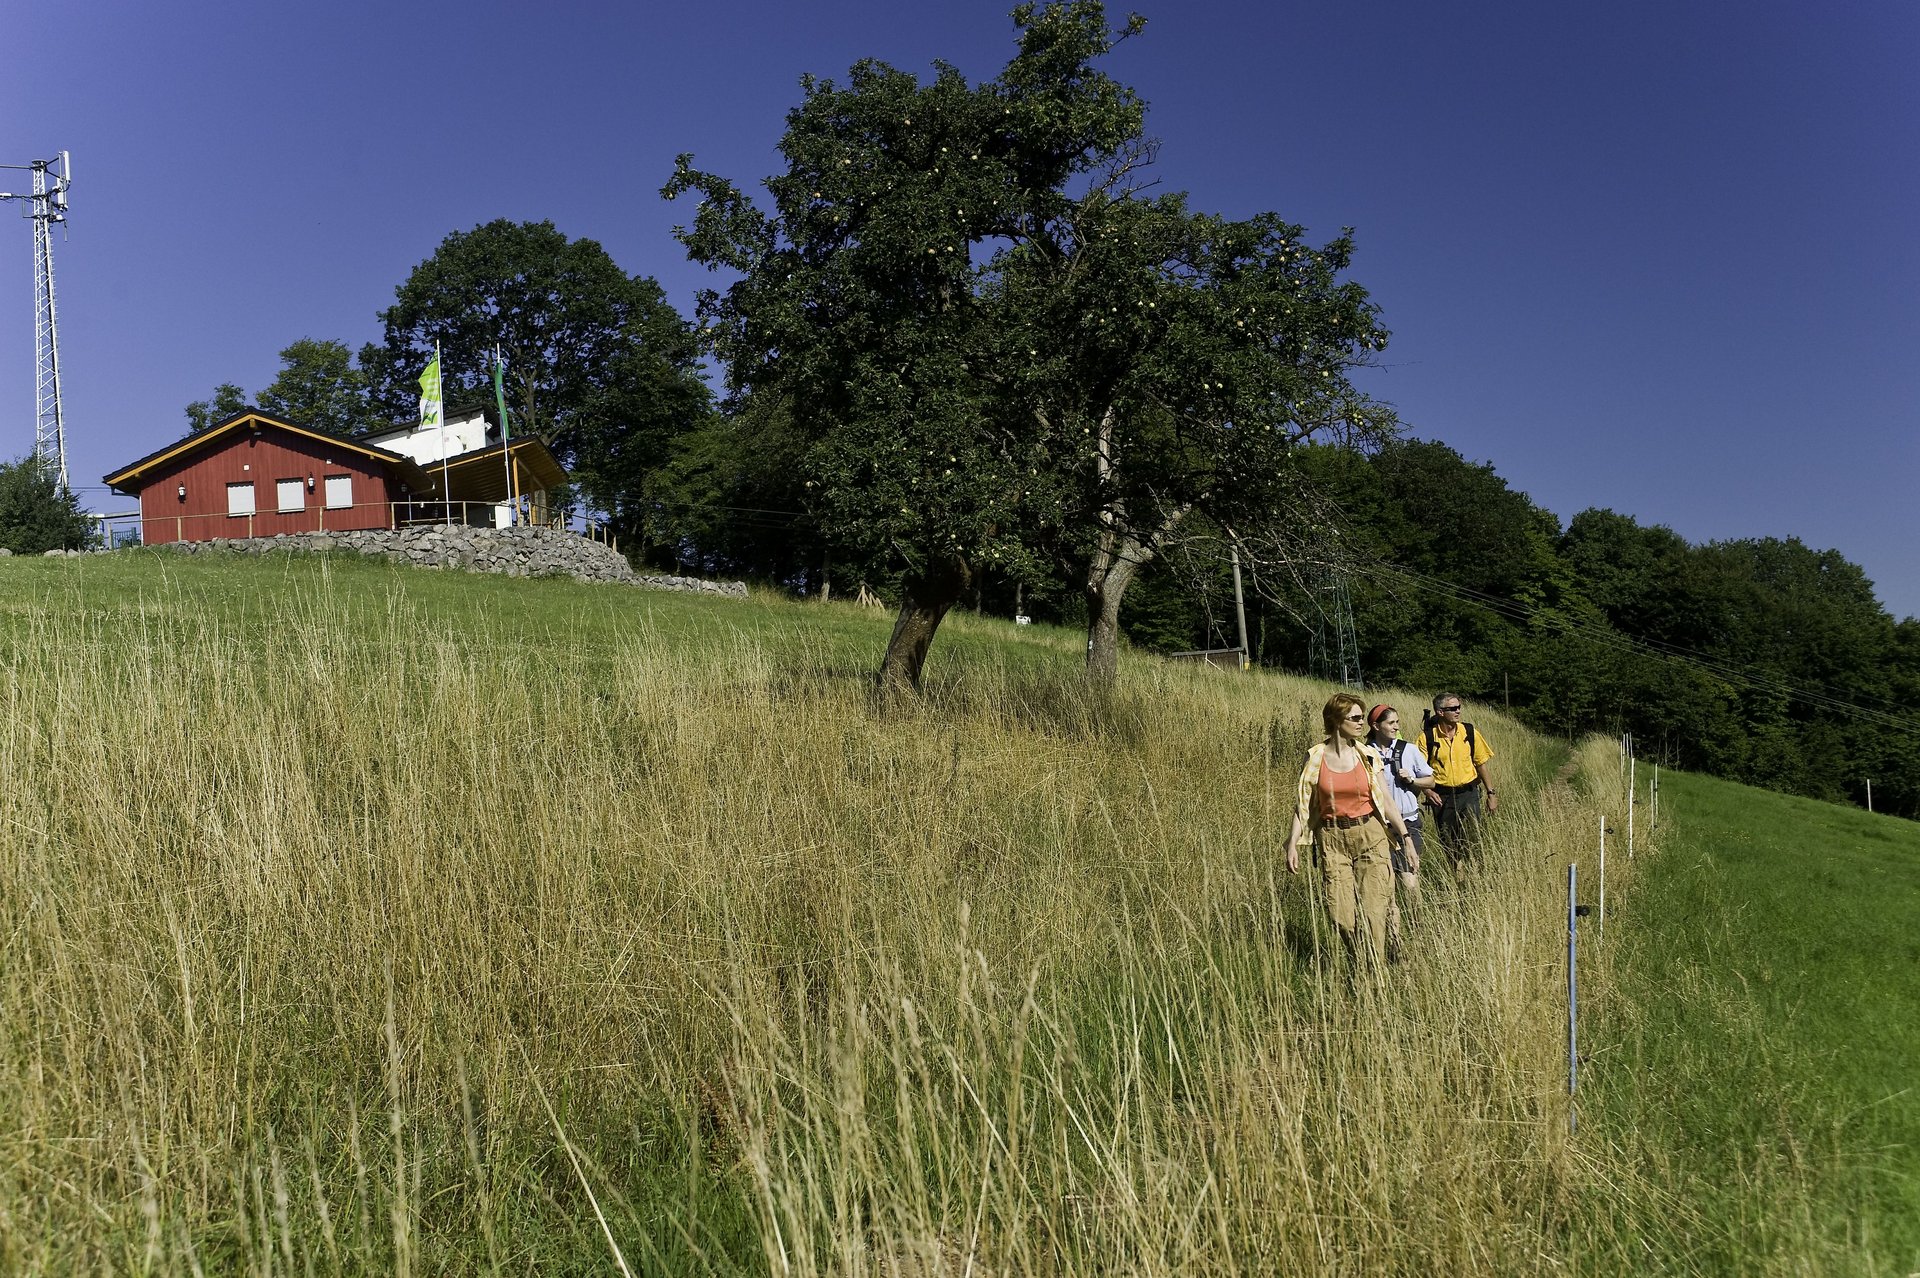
(1658, 258)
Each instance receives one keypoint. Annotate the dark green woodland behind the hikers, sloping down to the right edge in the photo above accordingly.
(1723, 657)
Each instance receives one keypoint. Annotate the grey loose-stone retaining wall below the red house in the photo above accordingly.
(512, 552)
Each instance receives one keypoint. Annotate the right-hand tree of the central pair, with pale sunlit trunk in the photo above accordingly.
(1186, 358)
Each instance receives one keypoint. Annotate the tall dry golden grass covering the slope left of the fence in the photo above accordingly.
(341, 939)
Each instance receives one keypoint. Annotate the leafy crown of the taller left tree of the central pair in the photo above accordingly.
(863, 306)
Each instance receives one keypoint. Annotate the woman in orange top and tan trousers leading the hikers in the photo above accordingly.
(1343, 799)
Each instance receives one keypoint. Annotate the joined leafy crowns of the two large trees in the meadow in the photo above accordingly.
(1005, 358)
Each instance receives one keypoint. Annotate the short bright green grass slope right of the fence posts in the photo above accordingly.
(1765, 1045)
